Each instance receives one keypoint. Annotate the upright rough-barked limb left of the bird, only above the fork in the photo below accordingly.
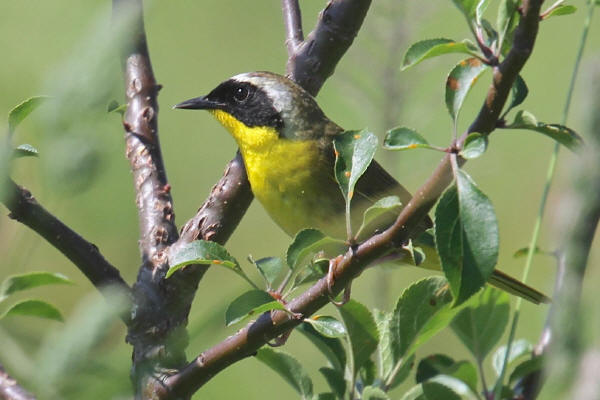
(153, 198)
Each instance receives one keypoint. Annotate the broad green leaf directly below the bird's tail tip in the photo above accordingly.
(480, 325)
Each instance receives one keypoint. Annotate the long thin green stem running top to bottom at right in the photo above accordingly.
(544, 198)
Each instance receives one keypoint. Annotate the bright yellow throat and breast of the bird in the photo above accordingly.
(290, 178)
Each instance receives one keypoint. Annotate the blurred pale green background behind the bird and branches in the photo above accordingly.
(66, 50)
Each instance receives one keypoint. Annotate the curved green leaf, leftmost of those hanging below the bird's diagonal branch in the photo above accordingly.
(289, 369)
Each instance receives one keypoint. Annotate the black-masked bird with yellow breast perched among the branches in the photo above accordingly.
(286, 142)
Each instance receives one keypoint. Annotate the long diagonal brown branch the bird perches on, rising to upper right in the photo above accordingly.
(347, 267)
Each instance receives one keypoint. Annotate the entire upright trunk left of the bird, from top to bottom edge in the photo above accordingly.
(156, 330)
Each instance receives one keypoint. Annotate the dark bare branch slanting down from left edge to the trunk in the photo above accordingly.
(85, 255)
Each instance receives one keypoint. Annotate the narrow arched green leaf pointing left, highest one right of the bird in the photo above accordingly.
(429, 48)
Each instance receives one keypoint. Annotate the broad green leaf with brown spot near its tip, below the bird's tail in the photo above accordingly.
(422, 310)
